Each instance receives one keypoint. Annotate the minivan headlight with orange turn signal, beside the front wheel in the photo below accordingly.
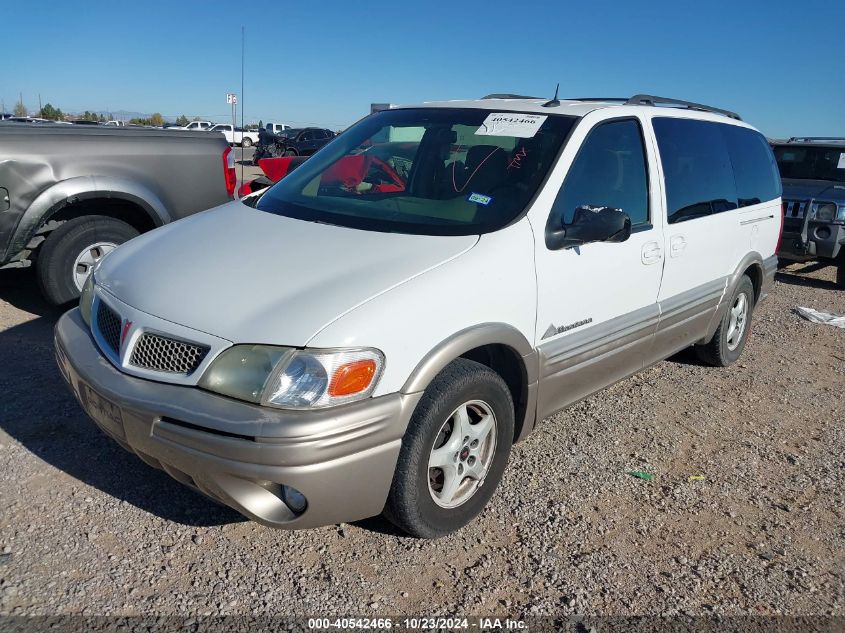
(294, 379)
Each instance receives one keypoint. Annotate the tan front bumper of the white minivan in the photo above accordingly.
(341, 459)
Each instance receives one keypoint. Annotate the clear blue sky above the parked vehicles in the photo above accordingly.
(779, 63)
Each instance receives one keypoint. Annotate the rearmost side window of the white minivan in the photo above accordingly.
(755, 169)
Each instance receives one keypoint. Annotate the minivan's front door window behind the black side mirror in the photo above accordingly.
(609, 171)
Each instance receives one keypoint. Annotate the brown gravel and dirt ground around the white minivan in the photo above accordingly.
(86, 528)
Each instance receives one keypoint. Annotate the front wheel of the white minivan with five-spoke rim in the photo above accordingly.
(463, 385)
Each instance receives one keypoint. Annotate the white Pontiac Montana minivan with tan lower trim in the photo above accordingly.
(374, 331)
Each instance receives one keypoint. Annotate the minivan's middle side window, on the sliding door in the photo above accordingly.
(696, 168)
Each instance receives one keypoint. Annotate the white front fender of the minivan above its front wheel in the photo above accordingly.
(493, 282)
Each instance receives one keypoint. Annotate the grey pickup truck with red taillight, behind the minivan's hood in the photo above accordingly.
(71, 194)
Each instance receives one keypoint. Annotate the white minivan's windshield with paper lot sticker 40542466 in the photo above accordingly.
(430, 171)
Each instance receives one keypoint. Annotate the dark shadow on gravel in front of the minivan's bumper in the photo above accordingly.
(38, 410)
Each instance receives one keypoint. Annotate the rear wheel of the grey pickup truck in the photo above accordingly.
(63, 259)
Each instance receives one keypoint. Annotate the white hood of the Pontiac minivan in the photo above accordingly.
(253, 277)
